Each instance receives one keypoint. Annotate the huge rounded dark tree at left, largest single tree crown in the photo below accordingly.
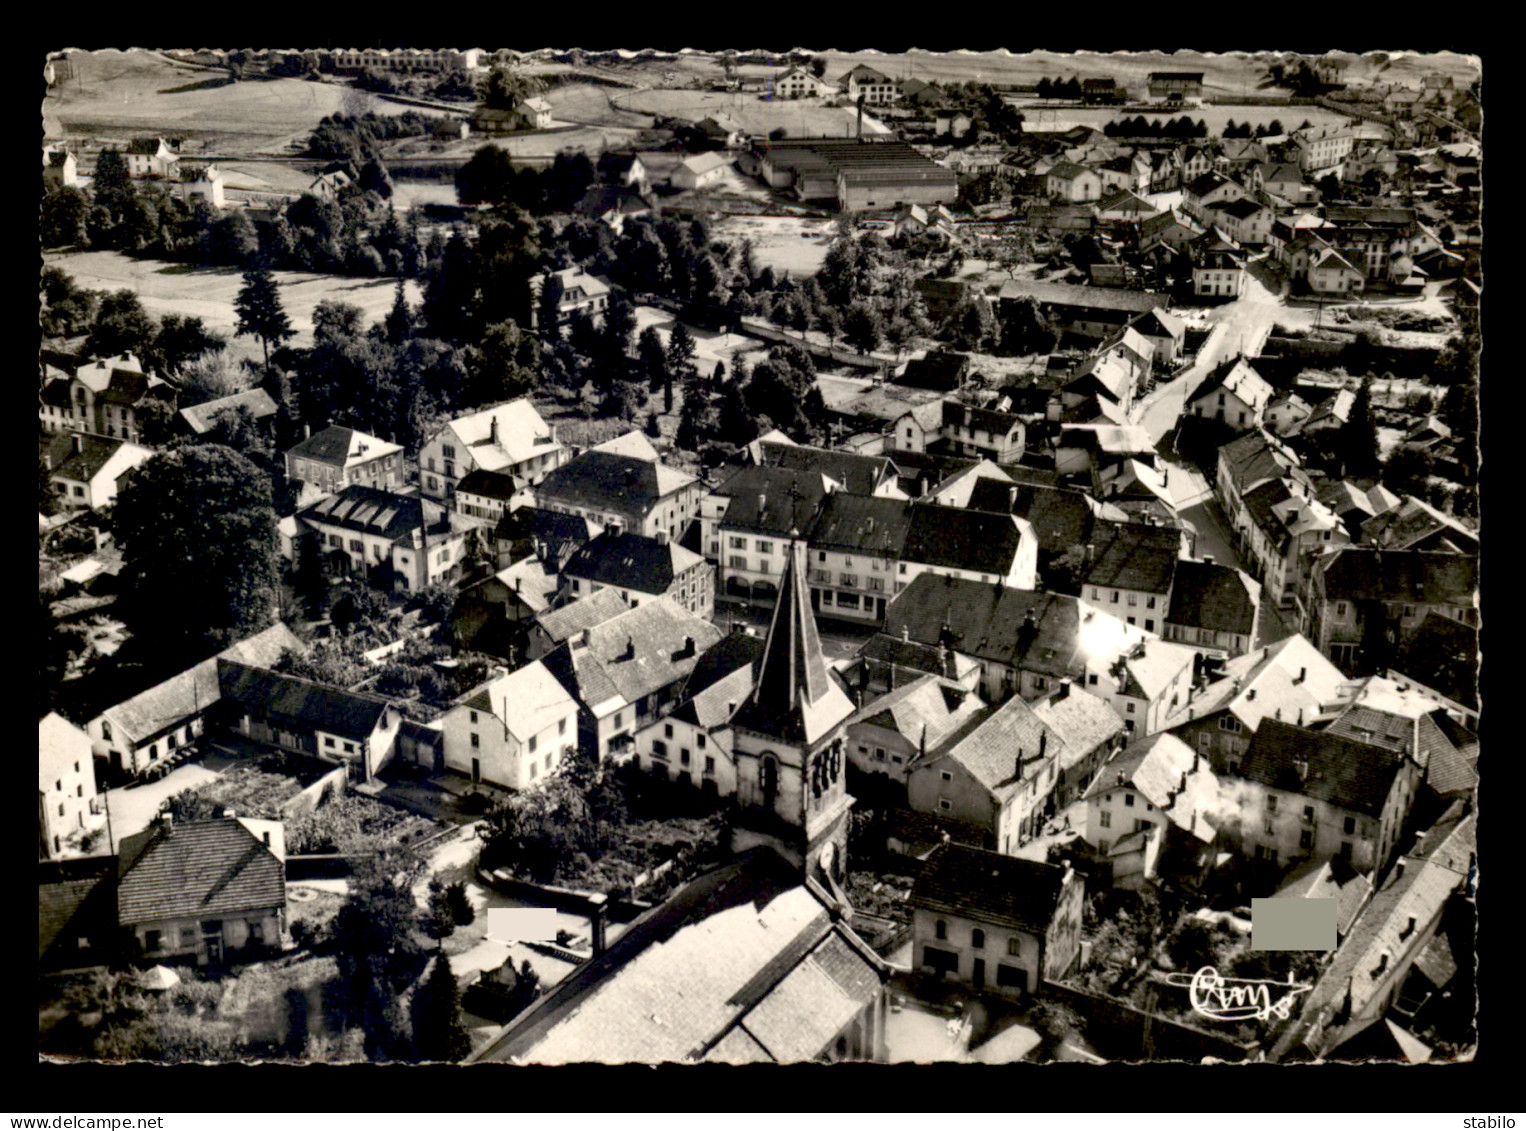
(198, 533)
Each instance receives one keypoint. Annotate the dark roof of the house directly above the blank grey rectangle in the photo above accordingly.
(1344, 773)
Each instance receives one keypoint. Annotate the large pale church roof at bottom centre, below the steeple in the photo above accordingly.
(744, 964)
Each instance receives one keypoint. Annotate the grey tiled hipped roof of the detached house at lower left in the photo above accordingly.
(198, 869)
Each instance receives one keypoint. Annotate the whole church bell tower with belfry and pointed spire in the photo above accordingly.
(790, 743)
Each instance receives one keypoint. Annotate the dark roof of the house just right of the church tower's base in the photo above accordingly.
(991, 888)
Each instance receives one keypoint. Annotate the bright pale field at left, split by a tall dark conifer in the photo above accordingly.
(210, 292)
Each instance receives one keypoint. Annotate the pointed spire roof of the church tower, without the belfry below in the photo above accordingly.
(794, 698)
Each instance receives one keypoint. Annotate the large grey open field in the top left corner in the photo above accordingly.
(118, 95)
